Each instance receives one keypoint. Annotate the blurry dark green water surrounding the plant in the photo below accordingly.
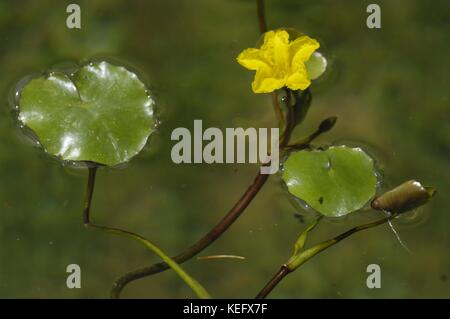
(389, 88)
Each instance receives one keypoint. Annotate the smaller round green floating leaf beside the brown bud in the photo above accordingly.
(334, 182)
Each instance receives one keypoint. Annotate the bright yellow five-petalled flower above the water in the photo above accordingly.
(279, 62)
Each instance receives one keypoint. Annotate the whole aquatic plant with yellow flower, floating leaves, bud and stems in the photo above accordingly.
(103, 114)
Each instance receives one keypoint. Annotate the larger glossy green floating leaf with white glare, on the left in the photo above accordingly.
(102, 113)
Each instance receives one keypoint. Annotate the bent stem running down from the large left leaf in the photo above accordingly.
(191, 282)
